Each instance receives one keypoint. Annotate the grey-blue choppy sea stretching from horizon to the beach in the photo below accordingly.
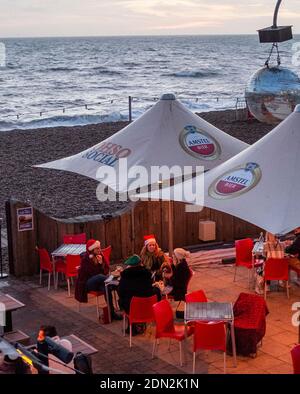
(47, 82)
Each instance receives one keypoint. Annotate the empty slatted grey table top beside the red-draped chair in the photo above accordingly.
(208, 311)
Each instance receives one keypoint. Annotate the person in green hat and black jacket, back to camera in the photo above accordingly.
(135, 281)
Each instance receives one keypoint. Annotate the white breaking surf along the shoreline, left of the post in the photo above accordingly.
(58, 121)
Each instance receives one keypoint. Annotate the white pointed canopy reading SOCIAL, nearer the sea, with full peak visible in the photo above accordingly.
(168, 134)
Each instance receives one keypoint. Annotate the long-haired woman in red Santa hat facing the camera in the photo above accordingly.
(153, 257)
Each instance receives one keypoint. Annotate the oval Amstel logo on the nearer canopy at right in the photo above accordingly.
(236, 182)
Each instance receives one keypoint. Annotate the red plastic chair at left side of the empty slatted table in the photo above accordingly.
(165, 327)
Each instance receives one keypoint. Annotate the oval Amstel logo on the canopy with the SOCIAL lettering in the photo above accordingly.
(199, 143)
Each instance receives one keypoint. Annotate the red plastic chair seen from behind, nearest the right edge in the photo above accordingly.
(277, 269)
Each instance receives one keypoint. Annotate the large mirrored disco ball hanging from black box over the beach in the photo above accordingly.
(272, 94)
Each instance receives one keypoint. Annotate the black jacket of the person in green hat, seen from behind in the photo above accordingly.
(135, 281)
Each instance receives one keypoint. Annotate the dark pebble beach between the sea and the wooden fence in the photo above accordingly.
(65, 195)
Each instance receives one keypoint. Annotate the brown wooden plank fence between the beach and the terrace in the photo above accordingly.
(123, 231)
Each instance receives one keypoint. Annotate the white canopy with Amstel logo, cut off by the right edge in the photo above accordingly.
(260, 184)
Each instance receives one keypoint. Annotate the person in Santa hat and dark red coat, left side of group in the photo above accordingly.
(93, 272)
